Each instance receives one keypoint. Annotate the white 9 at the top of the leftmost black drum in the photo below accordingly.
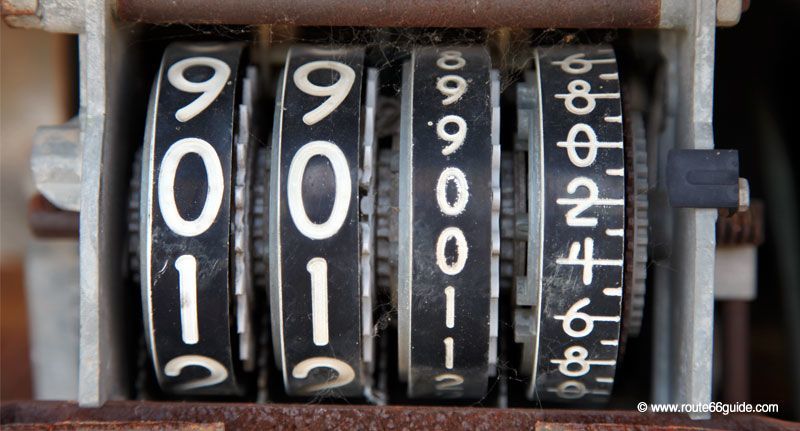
(210, 87)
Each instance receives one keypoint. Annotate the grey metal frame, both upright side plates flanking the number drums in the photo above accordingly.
(683, 277)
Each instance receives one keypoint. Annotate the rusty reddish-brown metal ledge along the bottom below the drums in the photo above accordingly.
(354, 417)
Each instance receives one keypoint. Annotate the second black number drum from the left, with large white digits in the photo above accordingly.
(320, 302)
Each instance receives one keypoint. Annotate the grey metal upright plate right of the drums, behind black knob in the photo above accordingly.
(684, 275)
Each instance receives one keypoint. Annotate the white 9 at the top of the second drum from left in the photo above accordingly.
(337, 91)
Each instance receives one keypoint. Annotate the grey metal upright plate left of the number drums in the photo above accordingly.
(104, 124)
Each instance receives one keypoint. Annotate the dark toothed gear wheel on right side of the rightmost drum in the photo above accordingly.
(636, 247)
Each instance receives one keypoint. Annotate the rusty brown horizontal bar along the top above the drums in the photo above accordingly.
(416, 13)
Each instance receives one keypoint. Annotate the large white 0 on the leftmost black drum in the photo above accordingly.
(166, 186)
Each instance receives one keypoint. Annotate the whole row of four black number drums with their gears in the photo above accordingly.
(386, 239)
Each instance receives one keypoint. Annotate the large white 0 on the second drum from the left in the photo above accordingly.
(341, 200)
